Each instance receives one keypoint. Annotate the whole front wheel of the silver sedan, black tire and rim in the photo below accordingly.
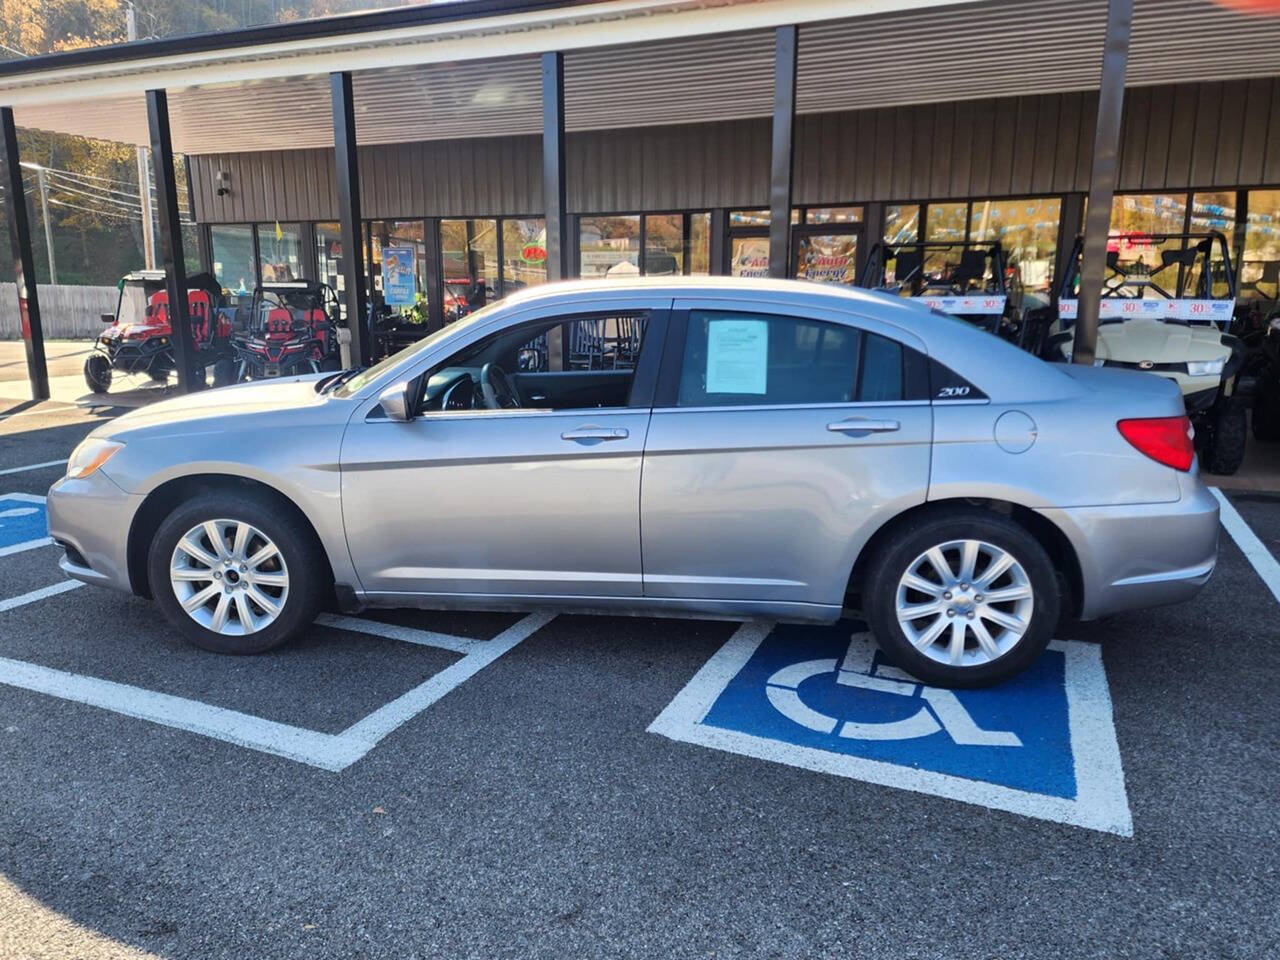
(299, 560)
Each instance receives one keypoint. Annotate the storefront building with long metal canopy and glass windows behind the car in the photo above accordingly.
(918, 120)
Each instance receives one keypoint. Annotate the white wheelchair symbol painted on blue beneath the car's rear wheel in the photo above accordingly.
(940, 710)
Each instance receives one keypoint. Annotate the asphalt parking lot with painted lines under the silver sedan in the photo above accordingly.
(509, 787)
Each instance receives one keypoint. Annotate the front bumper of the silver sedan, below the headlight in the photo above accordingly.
(93, 516)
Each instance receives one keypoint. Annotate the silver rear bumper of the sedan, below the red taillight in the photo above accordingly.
(1140, 556)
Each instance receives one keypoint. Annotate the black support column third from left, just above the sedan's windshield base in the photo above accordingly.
(349, 214)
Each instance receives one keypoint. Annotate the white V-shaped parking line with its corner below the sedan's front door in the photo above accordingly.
(330, 752)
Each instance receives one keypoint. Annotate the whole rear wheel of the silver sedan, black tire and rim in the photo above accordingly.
(1008, 655)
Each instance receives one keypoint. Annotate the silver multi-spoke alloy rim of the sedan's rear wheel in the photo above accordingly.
(964, 604)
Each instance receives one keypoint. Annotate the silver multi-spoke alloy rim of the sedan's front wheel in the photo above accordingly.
(230, 578)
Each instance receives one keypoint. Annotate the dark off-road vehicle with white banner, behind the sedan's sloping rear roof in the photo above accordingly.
(964, 278)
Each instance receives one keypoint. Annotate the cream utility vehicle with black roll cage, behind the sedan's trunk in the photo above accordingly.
(1167, 303)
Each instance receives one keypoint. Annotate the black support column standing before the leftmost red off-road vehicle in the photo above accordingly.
(171, 241)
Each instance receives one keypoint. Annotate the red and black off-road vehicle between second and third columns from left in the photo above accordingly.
(292, 330)
